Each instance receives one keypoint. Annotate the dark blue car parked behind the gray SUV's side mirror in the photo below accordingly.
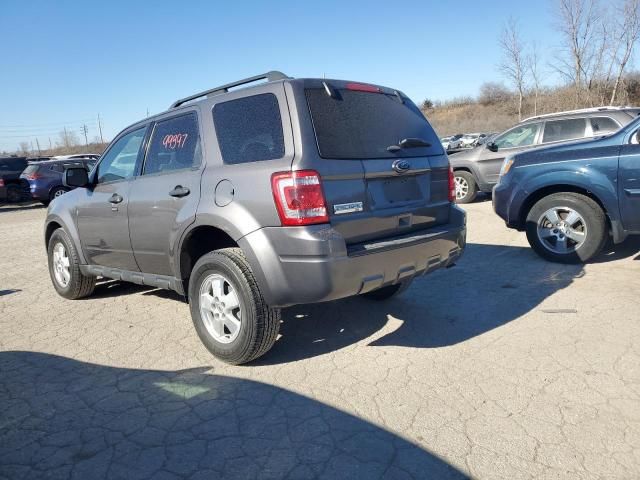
(44, 179)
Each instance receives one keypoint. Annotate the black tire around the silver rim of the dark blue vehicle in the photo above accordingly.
(588, 209)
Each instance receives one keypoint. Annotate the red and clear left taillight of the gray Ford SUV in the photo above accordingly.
(299, 197)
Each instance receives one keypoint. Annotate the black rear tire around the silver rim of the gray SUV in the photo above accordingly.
(259, 324)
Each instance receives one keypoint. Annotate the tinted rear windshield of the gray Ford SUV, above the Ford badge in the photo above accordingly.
(361, 125)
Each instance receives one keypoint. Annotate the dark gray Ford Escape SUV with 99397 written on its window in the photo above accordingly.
(246, 200)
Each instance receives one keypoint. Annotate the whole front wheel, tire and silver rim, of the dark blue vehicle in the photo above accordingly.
(566, 228)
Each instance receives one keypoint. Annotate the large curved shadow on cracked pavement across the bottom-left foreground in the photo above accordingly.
(62, 418)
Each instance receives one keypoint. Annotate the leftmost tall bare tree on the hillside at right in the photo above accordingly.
(514, 63)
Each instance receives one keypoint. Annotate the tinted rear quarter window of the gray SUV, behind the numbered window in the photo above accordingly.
(249, 129)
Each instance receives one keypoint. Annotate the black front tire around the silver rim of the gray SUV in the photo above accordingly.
(79, 285)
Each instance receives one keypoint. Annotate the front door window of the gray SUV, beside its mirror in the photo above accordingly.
(119, 163)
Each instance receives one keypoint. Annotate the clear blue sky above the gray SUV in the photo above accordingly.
(65, 62)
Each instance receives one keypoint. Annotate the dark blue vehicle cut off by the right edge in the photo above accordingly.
(570, 197)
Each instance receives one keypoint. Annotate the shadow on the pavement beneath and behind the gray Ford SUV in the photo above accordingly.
(491, 286)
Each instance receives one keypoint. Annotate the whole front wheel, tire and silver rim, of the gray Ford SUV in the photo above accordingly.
(64, 268)
